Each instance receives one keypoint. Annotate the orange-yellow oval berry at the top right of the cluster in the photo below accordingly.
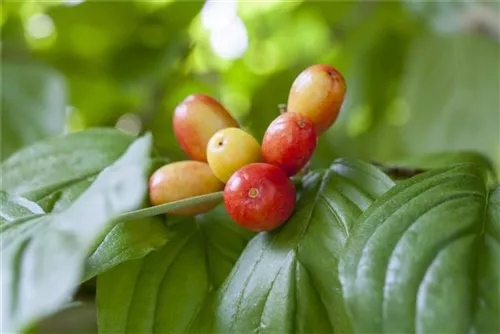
(318, 93)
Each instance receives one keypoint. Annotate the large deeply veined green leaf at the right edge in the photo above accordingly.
(424, 257)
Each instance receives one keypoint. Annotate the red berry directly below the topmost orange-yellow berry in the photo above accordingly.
(289, 142)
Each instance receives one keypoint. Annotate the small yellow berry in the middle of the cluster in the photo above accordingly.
(230, 149)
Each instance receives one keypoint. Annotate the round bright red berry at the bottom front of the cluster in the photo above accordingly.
(259, 197)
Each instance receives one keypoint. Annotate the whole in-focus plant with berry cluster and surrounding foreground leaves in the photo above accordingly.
(245, 238)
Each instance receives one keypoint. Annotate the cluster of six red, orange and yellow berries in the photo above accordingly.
(258, 194)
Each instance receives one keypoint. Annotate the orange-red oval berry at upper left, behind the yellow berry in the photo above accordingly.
(195, 121)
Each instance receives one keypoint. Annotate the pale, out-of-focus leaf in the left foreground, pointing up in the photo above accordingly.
(40, 271)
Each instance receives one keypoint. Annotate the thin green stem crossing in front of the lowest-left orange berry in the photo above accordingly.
(172, 206)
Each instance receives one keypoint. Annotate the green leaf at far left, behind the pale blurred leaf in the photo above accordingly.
(50, 170)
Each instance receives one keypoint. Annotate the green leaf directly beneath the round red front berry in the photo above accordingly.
(286, 281)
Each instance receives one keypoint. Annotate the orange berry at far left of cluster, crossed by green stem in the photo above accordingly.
(181, 180)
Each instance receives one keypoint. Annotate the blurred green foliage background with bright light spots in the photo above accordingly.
(422, 76)
